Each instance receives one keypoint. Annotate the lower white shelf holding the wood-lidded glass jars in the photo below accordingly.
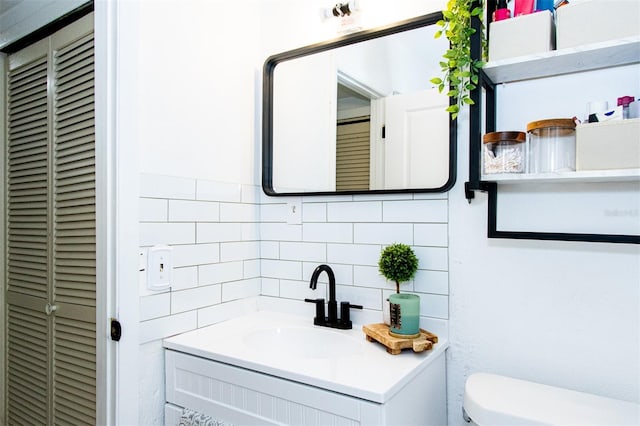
(626, 175)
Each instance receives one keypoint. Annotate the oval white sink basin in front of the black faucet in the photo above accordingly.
(299, 342)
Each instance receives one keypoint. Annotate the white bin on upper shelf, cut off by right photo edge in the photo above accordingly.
(596, 21)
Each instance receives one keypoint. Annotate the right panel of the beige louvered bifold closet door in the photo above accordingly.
(74, 233)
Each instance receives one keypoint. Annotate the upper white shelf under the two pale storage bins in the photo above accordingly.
(556, 62)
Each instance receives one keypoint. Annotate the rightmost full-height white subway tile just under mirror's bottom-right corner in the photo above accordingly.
(423, 211)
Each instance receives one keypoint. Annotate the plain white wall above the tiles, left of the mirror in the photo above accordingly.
(199, 82)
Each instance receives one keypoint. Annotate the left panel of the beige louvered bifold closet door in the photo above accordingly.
(28, 248)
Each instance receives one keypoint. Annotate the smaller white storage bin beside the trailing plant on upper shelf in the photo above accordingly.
(522, 35)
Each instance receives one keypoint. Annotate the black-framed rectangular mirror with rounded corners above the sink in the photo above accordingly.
(359, 115)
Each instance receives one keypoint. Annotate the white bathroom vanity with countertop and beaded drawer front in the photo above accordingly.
(277, 369)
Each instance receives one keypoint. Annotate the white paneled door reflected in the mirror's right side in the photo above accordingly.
(411, 121)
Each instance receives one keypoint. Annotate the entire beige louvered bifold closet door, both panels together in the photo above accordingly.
(51, 233)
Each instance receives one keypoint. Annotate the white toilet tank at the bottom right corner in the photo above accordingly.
(495, 400)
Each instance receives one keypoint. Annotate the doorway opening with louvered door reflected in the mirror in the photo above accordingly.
(352, 138)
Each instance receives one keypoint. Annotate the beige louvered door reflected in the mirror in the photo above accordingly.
(352, 155)
